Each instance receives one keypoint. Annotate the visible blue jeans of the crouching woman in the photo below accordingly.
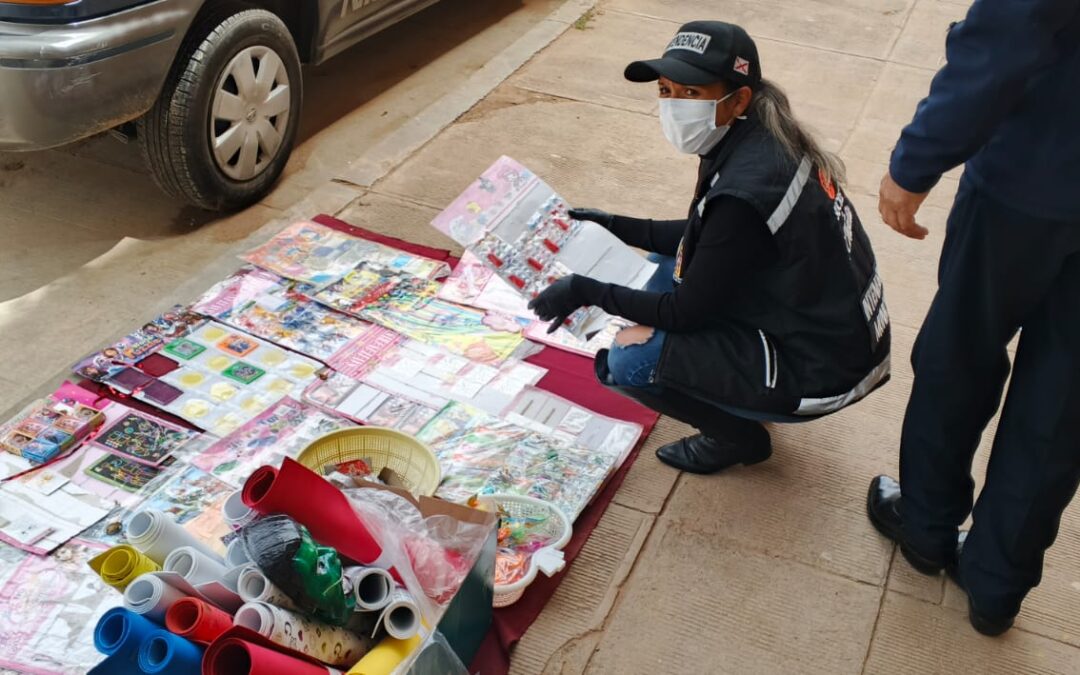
(636, 366)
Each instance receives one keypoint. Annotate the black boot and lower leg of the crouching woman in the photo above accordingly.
(725, 440)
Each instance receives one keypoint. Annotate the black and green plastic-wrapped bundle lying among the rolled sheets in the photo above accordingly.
(307, 573)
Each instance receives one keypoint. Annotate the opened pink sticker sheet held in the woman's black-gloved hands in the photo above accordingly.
(518, 226)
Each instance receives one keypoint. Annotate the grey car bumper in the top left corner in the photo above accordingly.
(61, 84)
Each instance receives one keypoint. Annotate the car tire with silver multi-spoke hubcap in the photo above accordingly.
(219, 137)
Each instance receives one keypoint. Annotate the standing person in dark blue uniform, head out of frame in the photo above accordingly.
(1008, 105)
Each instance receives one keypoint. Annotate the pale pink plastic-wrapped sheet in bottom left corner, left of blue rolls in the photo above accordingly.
(49, 609)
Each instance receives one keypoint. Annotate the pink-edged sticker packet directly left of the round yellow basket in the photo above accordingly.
(281, 431)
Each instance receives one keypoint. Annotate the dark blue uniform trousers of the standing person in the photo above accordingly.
(1002, 272)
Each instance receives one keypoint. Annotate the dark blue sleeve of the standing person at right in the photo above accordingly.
(991, 56)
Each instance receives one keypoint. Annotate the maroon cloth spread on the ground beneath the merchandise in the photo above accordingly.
(572, 377)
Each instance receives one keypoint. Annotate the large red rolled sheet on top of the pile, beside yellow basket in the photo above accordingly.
(303, 495)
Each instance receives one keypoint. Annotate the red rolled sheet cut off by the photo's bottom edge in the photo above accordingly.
(241, 652)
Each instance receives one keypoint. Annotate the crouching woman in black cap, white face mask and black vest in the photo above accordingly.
(766, 305)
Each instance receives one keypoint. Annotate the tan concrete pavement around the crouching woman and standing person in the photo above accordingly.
(767, 570)
